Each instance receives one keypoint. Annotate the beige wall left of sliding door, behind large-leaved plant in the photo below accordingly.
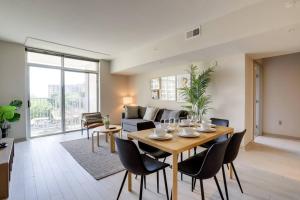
(12, 82)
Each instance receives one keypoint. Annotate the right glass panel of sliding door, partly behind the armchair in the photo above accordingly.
(76, 98)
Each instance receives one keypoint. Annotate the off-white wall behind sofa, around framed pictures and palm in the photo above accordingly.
(227, 88)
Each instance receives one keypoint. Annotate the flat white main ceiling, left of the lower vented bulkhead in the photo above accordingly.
(106, 26)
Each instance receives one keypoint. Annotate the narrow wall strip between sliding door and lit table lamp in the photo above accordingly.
(112, 89)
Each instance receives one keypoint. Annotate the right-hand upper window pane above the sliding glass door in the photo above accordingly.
(80, 64)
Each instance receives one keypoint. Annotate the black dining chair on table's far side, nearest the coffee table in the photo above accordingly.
(149, 150)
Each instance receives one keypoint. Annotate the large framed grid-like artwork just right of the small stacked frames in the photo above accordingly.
(168, 91)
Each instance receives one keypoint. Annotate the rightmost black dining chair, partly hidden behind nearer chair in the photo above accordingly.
(230, 155)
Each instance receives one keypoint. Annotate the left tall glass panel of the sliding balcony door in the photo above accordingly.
(45, 98)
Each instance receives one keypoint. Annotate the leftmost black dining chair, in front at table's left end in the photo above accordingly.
(139, 164)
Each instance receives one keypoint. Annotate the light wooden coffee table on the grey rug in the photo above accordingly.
(109, 133)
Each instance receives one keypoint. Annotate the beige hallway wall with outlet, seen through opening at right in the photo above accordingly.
(281, 95)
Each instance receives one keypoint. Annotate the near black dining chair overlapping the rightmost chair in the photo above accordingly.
(205, 165)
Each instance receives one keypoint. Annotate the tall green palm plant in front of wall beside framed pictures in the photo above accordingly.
(195, 95)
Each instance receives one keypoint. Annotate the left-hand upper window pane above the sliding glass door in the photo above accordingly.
(44, 59)
